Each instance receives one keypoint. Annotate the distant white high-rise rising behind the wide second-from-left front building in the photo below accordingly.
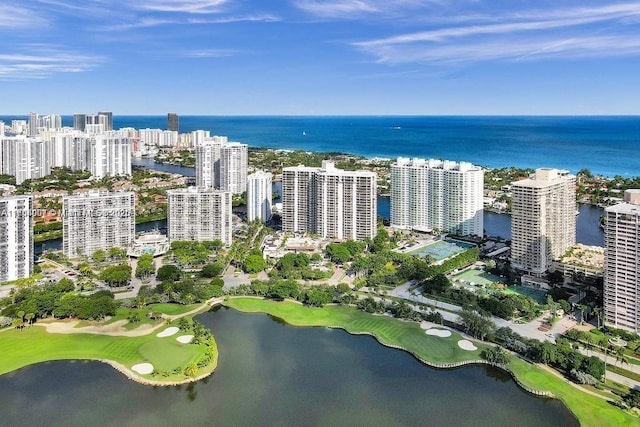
(109, 155)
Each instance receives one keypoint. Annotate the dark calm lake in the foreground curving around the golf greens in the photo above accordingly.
(273, 374)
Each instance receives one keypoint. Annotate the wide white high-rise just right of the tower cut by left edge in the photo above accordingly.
(97, 220)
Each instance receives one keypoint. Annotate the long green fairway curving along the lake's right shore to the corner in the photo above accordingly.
(590, 410)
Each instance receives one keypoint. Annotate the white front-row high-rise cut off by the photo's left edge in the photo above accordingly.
(16, 238)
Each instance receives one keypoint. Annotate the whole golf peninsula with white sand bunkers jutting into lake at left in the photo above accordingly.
(168, 348)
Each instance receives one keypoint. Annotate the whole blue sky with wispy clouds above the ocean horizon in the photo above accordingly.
(303, 57)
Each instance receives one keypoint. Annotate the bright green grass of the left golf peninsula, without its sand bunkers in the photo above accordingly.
(30, 345)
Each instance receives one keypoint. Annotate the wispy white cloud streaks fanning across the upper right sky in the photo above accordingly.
(524, 35)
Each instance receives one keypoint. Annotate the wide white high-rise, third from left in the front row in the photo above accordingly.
(199, 214)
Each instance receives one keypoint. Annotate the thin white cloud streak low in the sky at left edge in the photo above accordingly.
(42, 61)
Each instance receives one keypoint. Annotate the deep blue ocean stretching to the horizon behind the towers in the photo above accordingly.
(607, 145)
